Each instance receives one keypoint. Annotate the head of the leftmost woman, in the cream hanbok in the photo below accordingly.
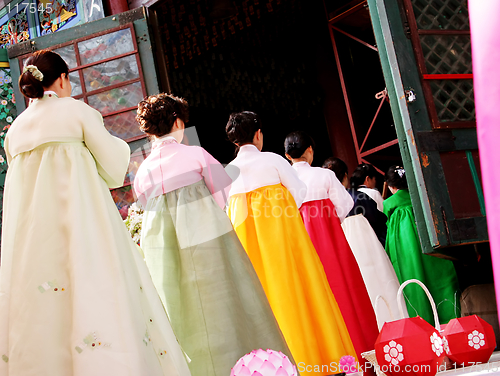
(45, 70)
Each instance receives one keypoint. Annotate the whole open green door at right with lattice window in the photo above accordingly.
(424, 48)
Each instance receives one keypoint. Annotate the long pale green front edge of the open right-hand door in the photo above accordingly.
(395, 89)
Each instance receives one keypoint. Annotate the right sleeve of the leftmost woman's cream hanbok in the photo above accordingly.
(111, 154)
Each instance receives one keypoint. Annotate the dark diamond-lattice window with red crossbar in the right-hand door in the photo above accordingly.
(441, 40)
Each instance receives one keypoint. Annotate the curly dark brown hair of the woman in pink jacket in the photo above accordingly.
(156, 114)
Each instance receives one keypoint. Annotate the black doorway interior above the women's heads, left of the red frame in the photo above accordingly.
(263, 58)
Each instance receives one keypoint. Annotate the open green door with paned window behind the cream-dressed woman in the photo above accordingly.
(112, 68)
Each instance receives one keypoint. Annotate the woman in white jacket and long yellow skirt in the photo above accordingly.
(263, 207)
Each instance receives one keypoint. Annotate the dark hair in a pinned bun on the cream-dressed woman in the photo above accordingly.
(50, 64)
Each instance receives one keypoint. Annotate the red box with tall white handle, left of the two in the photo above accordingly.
(410, 346)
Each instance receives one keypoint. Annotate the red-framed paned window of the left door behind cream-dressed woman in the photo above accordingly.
(106, 73)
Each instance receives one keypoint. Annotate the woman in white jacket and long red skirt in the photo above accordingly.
(325, 206)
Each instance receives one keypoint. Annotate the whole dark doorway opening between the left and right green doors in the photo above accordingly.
(275, 58)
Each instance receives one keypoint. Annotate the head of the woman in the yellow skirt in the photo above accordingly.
(245, 128)
